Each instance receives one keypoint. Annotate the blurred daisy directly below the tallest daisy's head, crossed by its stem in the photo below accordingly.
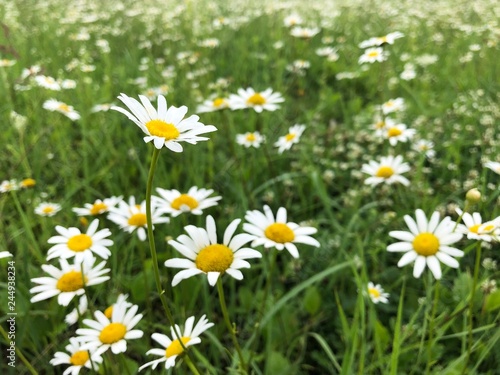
(132, 217)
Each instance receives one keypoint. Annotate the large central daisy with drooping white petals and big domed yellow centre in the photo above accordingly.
(206, 255)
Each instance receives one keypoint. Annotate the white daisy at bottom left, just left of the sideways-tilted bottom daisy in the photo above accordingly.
(113, 333)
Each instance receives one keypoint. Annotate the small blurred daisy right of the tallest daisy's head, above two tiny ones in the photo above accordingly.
(259, 101)
